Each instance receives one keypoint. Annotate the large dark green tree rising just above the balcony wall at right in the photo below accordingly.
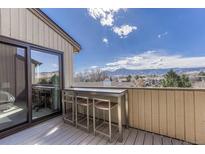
(172, 79)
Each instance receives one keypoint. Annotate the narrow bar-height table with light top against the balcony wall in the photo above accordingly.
(118, 93)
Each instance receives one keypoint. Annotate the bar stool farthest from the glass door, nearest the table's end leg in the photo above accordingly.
(104, 105)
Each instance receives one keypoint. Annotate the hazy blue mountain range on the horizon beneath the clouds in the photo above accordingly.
(125, 72)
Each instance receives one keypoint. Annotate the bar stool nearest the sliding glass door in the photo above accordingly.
(68, 98)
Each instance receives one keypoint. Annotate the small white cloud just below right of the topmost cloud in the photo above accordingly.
(124, 30)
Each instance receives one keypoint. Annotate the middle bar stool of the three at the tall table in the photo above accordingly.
(84, 102)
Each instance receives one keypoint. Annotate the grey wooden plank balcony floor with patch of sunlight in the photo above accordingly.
(56, 132)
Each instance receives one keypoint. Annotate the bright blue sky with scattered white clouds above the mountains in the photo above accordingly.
(135, 38)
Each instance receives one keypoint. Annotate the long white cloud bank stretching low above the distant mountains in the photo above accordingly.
(155, 60)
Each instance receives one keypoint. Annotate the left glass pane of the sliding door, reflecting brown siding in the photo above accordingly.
(13, 87)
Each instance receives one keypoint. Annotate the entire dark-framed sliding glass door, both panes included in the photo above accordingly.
(30, 83)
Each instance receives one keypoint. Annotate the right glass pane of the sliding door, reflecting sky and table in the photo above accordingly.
(45, 69)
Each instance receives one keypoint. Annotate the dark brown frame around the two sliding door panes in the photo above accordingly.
(28, 46)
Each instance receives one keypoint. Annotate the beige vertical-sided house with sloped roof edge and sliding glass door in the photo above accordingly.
(24, 34)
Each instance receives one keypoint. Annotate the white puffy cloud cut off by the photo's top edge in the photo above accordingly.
(105, 16)
